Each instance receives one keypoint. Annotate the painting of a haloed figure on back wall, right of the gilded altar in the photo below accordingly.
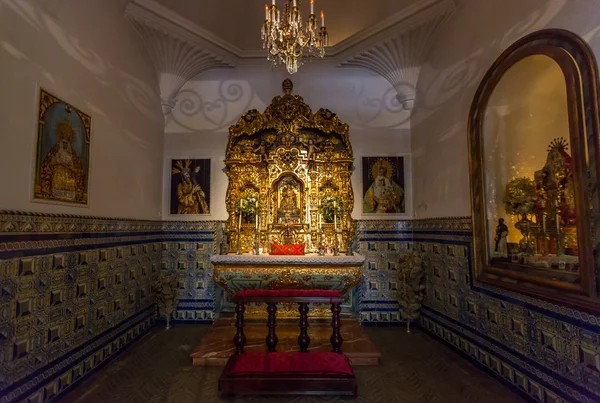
(383, 185)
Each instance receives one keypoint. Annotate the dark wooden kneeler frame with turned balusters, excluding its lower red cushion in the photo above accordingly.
(282, 384)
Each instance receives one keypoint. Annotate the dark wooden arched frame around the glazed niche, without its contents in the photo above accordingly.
(579, 67)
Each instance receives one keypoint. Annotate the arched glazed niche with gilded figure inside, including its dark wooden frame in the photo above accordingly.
(533, 138)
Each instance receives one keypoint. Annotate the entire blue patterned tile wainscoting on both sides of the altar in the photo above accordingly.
(74, 291)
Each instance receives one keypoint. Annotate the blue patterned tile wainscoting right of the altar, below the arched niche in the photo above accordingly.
(546, 352)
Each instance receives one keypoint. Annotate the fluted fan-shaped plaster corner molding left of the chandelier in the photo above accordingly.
(178, 54)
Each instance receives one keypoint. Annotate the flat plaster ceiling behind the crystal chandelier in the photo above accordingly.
(238, 22)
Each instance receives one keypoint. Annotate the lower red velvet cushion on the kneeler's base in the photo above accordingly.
(291, 363)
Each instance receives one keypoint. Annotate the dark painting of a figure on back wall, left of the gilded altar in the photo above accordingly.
(190, 186)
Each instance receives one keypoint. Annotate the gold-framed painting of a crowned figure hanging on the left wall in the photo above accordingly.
(62, 159)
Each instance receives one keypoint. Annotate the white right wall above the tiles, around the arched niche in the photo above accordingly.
(466, 47)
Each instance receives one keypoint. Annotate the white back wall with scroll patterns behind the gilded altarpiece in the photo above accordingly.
(208, 105)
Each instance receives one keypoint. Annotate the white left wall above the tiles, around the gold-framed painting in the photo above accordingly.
(87, 53)
